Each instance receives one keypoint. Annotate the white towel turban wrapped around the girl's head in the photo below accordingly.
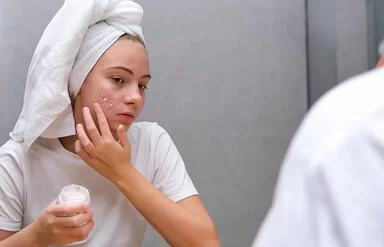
(73, 41)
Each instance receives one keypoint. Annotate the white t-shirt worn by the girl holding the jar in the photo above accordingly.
(30, 182)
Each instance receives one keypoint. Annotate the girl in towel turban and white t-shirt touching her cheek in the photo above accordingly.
(85, 88)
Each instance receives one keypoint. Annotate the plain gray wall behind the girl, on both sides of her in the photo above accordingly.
(229, 86)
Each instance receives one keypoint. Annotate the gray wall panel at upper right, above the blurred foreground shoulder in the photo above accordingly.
(339, 42)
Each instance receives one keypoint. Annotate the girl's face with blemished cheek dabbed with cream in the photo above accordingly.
(117, 82)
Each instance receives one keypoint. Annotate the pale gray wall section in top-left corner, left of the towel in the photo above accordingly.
(21, 25)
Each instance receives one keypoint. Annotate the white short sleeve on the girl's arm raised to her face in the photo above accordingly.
(171, 176)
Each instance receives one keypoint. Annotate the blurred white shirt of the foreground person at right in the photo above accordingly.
(331, 185)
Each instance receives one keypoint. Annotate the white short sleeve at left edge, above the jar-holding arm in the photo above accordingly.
(11, 184)
